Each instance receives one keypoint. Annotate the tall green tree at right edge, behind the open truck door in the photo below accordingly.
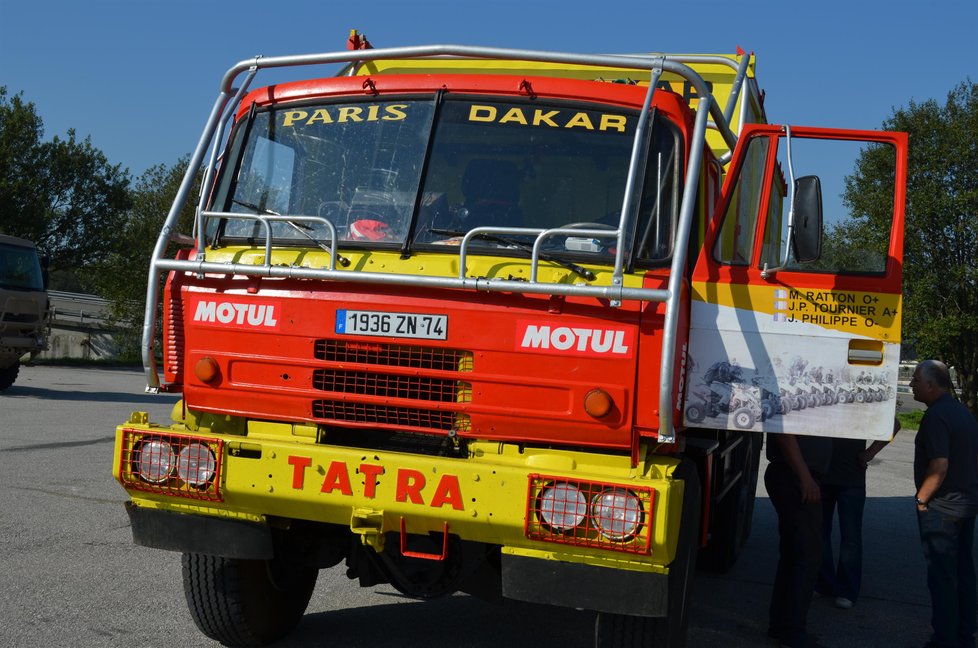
(940, 280)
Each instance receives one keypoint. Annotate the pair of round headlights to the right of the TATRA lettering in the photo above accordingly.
(616, 513)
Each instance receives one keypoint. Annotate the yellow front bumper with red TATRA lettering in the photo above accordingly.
(279, 471)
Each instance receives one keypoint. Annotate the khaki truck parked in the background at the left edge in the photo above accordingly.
(23, 306)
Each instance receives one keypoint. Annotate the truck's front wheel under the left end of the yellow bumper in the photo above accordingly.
(246, 602)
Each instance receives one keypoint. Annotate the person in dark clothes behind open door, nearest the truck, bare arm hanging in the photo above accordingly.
(791, 478)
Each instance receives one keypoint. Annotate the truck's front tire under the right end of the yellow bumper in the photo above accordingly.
(624, 631)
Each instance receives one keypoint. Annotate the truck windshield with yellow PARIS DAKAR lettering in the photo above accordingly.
(421, 173)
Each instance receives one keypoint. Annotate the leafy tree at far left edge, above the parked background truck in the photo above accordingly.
(62, 194)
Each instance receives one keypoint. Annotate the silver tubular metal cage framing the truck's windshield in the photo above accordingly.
(224, 109)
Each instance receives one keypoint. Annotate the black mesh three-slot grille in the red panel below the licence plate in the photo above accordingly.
(426, 391)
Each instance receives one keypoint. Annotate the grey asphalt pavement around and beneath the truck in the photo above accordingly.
(72, 577)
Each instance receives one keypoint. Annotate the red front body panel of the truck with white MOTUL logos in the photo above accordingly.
(266, 351)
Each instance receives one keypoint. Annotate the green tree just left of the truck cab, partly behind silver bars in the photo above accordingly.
(123, 270)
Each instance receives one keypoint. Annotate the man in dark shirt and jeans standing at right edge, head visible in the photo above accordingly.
(946, 476)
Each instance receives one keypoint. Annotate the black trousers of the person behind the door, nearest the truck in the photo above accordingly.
(800, 554)
